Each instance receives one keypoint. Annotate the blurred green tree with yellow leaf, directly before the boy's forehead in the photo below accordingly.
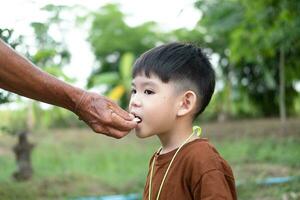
(116, 45)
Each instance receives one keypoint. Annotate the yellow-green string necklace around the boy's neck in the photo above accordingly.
(197, 130)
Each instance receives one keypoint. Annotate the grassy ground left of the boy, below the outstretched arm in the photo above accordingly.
(75, 163)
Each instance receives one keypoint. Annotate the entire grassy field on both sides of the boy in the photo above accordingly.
(76, 162)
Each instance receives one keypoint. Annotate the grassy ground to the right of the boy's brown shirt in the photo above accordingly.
(255, 159)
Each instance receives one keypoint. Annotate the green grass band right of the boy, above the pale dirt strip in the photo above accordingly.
(270, 149)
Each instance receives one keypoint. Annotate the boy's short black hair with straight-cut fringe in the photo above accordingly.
(181, 62)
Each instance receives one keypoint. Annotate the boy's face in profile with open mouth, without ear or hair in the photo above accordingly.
(155, 102)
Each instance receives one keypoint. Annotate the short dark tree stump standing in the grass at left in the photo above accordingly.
(23, 157)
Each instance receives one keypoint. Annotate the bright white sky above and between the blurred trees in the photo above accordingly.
(169, 14)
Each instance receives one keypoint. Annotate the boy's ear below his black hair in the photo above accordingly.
(187, 103)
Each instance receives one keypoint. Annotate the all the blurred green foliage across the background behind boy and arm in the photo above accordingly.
(244, 36)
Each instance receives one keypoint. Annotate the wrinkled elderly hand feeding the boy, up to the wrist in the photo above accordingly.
(103, 115)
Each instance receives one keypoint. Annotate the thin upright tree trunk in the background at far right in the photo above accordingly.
(282, 107)
